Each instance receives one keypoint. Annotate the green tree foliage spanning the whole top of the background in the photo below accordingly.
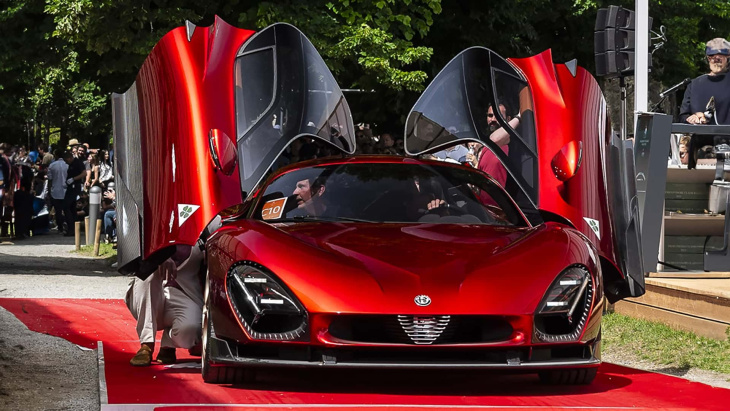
(60, 59)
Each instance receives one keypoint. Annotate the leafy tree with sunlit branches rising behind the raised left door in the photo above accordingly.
(367, 44)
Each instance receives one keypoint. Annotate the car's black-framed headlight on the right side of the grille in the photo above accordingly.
(563, 312)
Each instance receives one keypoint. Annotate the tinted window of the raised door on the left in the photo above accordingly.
(286, 91)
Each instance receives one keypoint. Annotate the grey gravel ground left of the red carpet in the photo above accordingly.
(38, 371)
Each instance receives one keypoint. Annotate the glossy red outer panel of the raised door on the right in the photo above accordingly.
(572, 104)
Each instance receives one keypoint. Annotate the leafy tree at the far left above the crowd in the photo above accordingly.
(42, 82)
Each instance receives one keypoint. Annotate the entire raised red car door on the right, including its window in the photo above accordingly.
(561, 158)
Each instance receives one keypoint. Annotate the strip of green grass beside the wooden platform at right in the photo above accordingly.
(664, 345)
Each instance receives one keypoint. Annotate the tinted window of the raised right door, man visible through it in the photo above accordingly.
(456, 107)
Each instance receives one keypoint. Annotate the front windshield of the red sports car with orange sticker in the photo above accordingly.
(387, 192)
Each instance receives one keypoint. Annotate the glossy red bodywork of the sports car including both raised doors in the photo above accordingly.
(186, 92)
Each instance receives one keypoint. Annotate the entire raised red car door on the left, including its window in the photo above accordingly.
(209, 114)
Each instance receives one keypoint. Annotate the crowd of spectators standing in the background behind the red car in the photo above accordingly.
(47, 190)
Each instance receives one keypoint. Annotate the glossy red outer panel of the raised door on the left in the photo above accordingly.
(183, 91)
